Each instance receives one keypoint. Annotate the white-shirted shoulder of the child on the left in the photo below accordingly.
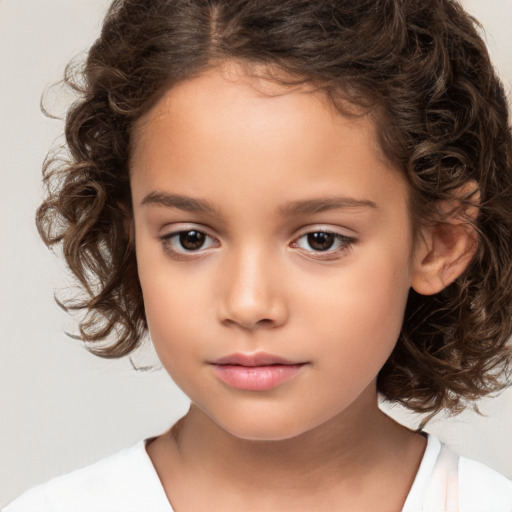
(125, 481)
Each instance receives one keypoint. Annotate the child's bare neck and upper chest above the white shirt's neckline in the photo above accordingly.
(358, 459)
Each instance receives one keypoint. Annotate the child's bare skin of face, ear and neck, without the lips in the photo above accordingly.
(248, 147)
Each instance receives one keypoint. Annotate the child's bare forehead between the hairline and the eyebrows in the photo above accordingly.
(228, 130)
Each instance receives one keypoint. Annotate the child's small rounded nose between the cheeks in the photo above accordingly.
(252, 295)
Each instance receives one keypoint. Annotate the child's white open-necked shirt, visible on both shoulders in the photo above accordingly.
(128, 482)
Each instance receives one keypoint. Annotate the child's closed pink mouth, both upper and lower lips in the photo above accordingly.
(255, 372)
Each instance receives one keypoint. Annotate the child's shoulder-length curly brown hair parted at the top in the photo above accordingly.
(442, 119)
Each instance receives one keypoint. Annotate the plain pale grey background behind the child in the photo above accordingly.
(60, 407)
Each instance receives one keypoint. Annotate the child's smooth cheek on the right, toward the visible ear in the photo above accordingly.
(361, 313)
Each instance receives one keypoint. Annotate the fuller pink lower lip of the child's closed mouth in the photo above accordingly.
(256, 378)
